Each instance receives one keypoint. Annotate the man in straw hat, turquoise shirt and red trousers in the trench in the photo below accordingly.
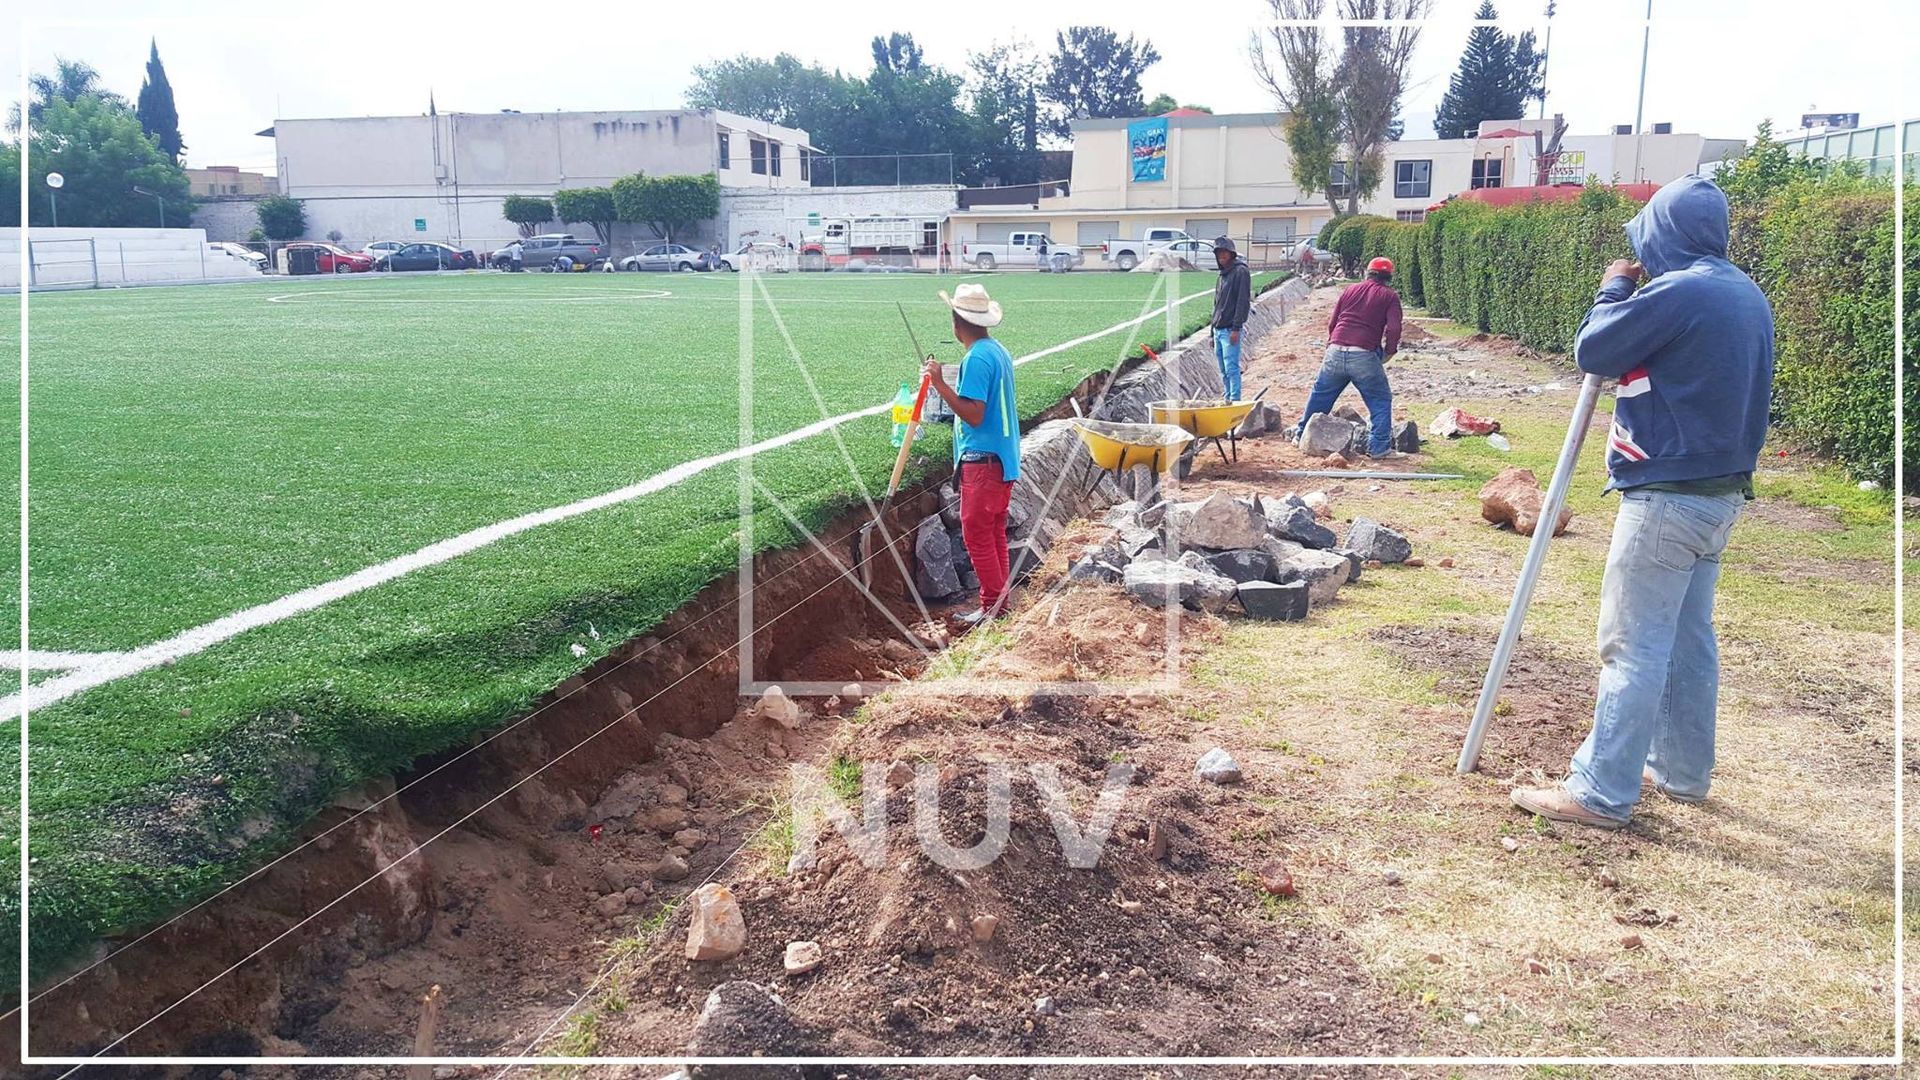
(986, 439)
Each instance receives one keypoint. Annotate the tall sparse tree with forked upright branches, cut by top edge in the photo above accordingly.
(1341, 110)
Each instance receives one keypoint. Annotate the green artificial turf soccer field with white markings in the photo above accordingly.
(206, 453)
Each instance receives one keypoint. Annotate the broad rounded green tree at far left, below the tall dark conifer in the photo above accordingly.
(99, 147)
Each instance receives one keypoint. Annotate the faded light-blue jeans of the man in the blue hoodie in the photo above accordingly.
(1660, 666)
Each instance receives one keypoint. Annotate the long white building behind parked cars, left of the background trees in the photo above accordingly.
(444, 176)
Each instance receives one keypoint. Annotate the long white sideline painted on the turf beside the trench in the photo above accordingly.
(120, 666)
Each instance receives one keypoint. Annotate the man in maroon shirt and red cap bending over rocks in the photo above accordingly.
(1362, 337)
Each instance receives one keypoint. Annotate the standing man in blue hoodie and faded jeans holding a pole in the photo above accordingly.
(1694, 358)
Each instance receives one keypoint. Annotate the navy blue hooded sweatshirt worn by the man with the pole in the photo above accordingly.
(1692, 351)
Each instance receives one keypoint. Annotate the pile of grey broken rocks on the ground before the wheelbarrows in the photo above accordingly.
(1272, 556)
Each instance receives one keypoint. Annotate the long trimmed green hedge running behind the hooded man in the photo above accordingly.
(1821, 247)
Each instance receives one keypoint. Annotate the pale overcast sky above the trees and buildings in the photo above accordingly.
(1717, 66)
